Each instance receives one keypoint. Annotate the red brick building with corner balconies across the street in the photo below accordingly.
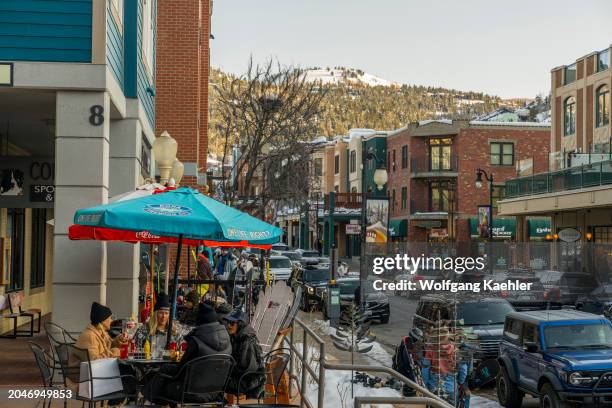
(432, 174)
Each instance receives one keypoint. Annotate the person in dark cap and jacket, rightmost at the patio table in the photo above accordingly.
(247, 354)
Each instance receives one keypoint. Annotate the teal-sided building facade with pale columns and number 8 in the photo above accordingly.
(77, 113)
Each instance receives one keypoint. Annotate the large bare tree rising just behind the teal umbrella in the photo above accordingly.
(268, 118)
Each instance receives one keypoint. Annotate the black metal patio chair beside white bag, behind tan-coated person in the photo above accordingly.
(71, 357)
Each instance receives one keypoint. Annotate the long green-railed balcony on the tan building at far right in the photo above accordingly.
(573, 178)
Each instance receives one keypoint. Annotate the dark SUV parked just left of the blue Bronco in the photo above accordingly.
(484, 316)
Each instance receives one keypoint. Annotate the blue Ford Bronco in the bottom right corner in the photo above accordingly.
(563, 357)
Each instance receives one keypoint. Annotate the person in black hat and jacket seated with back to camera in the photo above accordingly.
(209, 337)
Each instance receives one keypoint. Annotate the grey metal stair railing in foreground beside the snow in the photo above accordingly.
(301, 357)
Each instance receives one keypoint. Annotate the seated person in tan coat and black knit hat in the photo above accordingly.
(95, 337)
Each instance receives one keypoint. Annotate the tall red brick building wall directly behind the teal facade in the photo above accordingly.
(183, 59)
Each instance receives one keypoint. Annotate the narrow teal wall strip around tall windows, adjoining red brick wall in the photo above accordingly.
(145, 77)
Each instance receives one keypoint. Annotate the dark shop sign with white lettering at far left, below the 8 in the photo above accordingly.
(26, 182)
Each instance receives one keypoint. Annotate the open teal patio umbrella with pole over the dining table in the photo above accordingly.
(181, 214)
